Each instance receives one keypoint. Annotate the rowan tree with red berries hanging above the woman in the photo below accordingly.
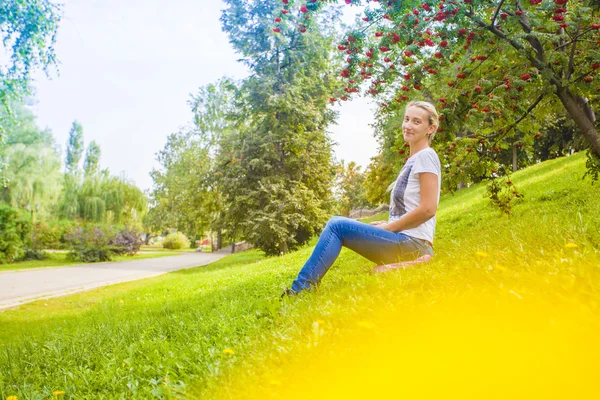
(498, 71)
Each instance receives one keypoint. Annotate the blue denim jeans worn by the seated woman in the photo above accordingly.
(371, 242)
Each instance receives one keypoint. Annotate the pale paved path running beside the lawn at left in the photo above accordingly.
(20, 287)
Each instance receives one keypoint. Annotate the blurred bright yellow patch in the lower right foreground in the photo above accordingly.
(482, 346)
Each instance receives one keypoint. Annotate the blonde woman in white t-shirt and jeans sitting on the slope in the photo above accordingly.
(407, 237)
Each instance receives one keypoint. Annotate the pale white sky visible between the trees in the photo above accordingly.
(127, 69)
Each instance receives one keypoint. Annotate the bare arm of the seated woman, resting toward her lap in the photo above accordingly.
(426, 209)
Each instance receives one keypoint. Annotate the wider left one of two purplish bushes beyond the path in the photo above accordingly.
(90, 244)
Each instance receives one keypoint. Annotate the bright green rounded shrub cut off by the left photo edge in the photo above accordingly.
(14, 230)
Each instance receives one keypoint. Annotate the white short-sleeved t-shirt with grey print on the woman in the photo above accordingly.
(406, 194)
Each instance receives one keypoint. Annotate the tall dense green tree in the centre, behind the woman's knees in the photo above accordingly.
(275, 168)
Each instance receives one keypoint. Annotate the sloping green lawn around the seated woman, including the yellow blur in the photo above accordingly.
(508, 308)
